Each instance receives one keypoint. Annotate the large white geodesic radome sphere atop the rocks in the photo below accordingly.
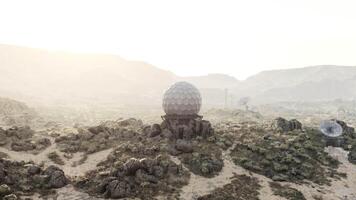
(182, 98)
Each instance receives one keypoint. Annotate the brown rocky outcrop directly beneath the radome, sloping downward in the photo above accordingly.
(195, 144)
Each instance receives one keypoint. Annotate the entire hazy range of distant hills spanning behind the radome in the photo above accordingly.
(39, 76)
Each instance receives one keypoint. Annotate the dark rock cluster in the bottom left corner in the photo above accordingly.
(24, 177)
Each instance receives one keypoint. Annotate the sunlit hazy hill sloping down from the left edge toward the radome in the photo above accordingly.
(51, 75)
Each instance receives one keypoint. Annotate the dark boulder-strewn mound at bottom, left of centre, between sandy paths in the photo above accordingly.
(142, 178)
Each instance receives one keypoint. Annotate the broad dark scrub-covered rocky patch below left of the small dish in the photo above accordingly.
(294, 157)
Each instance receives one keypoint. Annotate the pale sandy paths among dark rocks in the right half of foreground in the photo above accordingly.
(344, 189)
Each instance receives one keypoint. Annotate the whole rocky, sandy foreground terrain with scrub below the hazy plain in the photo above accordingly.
(127, 158)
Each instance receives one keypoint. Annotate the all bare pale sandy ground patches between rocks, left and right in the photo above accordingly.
(344, 189)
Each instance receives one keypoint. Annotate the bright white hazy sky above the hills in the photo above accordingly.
(239, 38)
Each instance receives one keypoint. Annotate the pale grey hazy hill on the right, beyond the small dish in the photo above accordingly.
(315, 83)
